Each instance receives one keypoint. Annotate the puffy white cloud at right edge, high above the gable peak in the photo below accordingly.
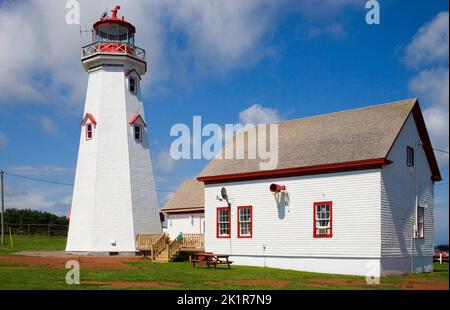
(430, 45)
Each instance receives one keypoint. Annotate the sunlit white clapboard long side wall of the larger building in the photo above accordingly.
(289, 231)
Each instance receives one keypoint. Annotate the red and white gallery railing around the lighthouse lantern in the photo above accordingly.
(113, 48)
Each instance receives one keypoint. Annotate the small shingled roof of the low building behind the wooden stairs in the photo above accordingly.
(190, 196)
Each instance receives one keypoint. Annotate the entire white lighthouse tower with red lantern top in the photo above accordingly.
(114, 197)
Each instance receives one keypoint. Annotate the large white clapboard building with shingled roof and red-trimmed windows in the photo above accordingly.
(358, 198)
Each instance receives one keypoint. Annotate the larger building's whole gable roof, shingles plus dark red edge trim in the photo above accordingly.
(359, 138)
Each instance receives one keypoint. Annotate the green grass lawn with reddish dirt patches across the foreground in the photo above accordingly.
(143, 274)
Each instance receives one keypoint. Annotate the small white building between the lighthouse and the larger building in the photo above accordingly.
(184, 212)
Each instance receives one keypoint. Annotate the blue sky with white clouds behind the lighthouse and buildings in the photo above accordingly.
(219, 59)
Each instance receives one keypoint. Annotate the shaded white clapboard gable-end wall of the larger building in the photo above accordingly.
(400, 185)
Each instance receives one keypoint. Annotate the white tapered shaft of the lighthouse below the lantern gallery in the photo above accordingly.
(114, 194)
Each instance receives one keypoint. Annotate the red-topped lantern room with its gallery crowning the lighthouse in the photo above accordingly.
(113, 37)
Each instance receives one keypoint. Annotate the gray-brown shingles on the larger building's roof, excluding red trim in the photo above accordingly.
(353, 135)
